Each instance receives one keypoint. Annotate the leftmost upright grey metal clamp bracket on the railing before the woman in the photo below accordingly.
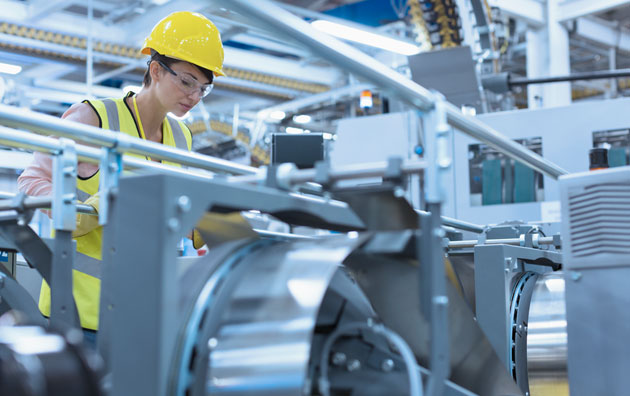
(65, 187)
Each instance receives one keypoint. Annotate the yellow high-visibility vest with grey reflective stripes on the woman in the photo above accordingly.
(115, 115)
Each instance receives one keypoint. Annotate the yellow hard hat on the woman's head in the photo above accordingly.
(188, 36)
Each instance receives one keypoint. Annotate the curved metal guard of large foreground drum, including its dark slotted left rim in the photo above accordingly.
(256, 334)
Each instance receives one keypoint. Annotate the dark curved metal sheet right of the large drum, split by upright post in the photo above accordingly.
(393, 289)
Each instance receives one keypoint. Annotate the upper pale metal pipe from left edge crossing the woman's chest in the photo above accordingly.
(48, 125)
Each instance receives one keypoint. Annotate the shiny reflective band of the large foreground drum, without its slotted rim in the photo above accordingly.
(263, 342)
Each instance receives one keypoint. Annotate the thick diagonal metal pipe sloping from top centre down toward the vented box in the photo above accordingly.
(274, 17)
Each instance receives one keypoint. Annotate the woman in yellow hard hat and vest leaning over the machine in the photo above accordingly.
(186, 55)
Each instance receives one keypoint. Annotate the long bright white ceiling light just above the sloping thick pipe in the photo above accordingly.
(364, 37)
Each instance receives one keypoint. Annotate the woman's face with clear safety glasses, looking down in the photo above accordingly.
(182, 86)
